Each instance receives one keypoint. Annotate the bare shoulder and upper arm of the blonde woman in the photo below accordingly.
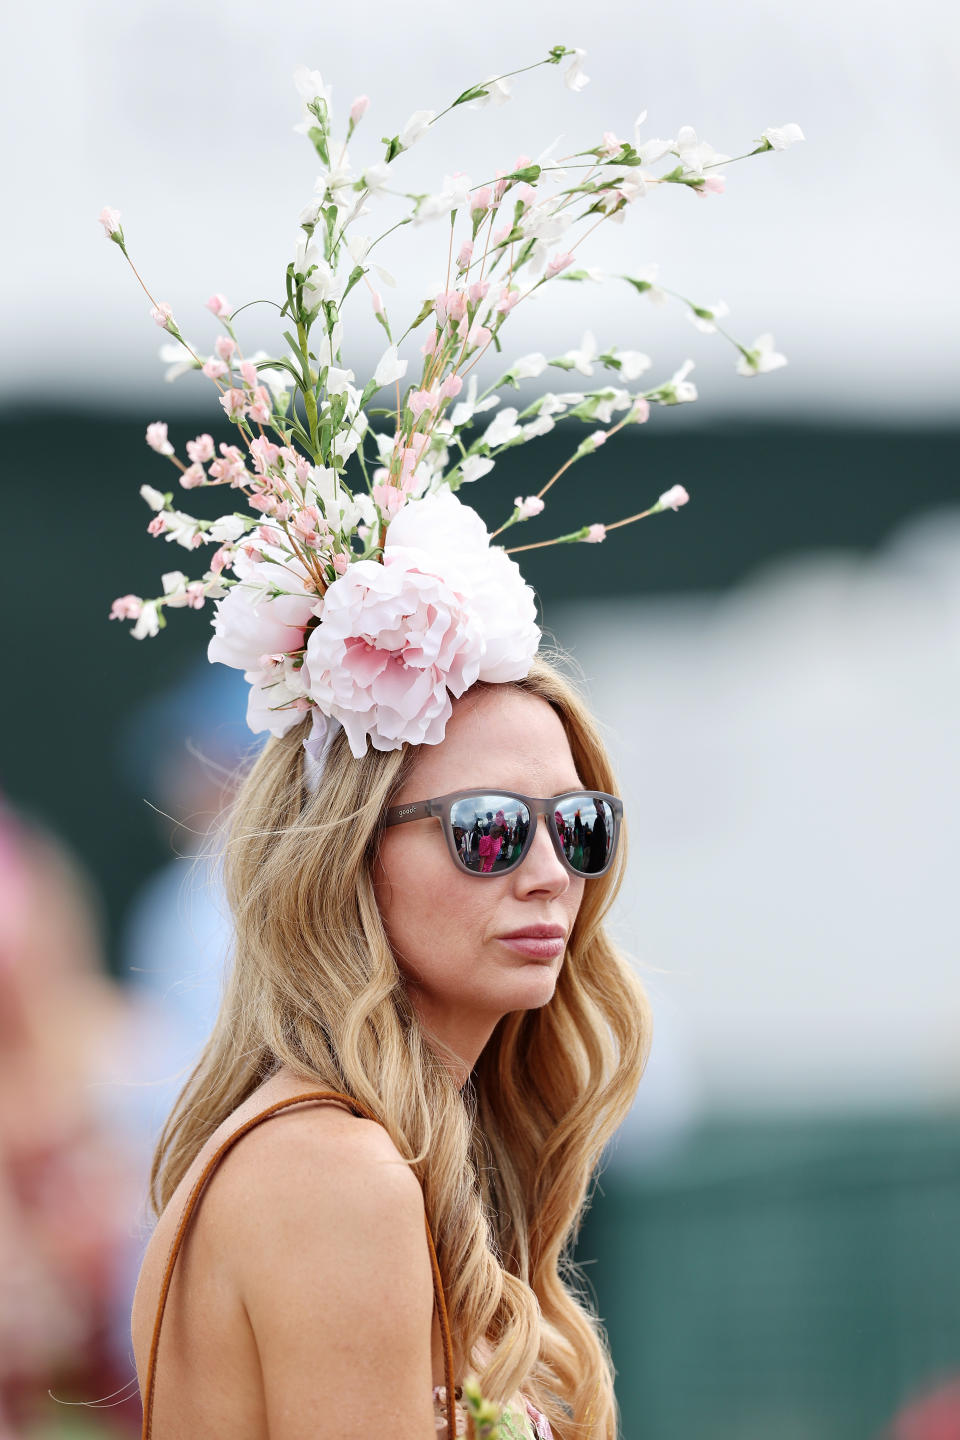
(322, 1225)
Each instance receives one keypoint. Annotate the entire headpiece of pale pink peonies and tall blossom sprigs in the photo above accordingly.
(358, 585)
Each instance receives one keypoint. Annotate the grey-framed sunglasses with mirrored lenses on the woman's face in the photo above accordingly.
(489, 833)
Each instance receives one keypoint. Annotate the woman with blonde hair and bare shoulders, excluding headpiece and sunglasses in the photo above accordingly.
(492, 1029)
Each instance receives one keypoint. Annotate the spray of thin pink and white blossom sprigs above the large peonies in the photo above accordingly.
(517, 231)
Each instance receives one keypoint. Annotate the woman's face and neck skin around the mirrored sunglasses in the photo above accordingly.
(451, 932)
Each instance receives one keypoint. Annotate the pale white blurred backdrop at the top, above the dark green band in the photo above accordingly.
(181, 116)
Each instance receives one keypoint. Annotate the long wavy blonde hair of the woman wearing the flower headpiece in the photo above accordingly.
(507, 1163)
